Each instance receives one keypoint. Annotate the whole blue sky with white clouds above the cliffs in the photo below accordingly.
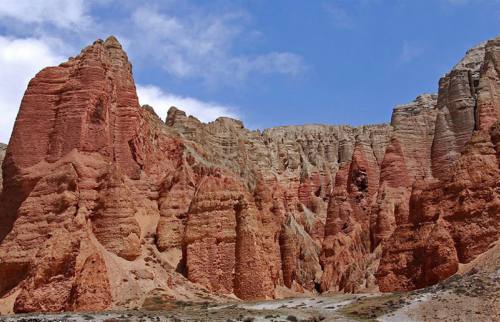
(268, 63)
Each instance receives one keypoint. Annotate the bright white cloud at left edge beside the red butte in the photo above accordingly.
(20, 60)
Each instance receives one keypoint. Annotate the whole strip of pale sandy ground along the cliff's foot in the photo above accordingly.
(433, 305)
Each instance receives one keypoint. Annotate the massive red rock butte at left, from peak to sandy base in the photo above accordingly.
(82, 180)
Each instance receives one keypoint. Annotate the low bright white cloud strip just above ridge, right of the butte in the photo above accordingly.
(162, 101)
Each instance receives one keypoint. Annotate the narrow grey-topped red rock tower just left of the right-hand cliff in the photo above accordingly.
(407, 158)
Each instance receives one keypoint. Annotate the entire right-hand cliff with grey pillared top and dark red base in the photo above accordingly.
(454, 216)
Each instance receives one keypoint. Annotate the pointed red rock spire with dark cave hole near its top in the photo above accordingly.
(346, 258)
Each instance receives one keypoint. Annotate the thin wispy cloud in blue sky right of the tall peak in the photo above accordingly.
(201, 46)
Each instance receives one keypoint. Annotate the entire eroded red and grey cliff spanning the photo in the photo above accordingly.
(105, 205)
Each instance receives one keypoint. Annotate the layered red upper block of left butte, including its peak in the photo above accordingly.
(81, 99)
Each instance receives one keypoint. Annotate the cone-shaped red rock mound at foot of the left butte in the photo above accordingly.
(66, 277)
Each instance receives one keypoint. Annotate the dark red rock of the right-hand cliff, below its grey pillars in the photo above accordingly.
(452, 220)
